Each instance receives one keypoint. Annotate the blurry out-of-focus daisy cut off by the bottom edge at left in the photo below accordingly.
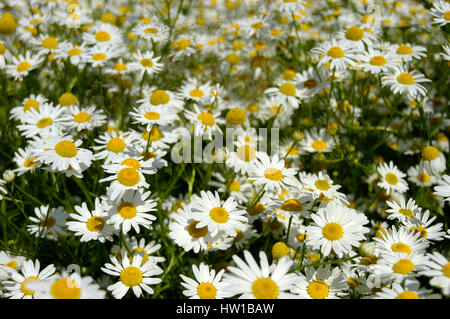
(67, 285)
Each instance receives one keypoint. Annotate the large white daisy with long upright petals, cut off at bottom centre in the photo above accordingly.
(250, 281)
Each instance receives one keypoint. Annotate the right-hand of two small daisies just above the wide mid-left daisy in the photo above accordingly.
(86, 118)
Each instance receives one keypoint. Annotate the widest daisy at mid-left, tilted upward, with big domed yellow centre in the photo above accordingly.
(63, 153)
